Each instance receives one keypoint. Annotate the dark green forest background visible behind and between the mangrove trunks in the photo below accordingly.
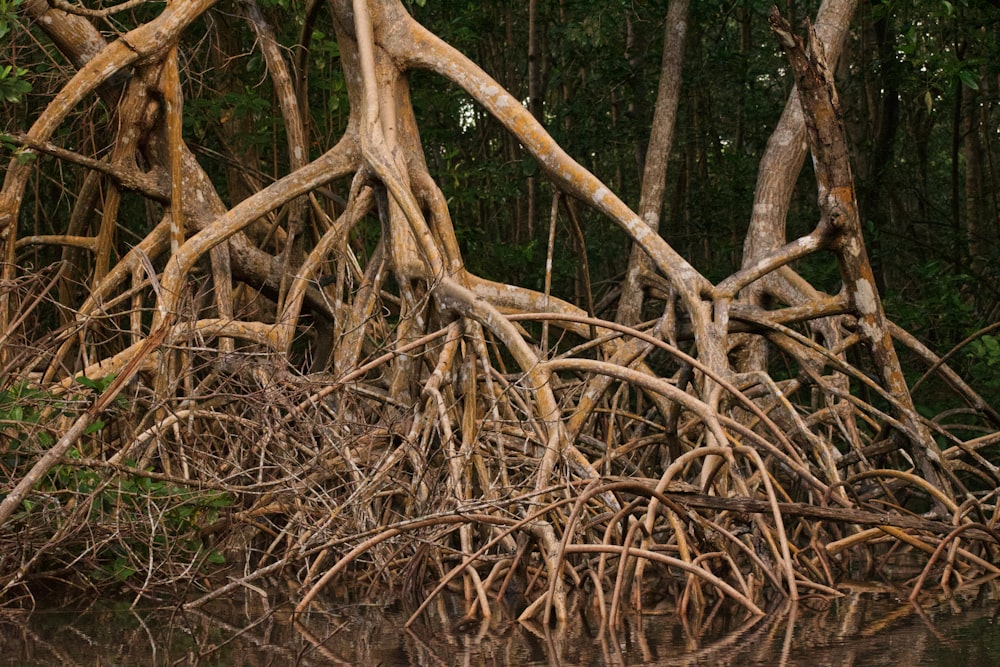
(918, 82)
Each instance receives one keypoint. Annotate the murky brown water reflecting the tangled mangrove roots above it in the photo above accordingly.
(862, 629)
